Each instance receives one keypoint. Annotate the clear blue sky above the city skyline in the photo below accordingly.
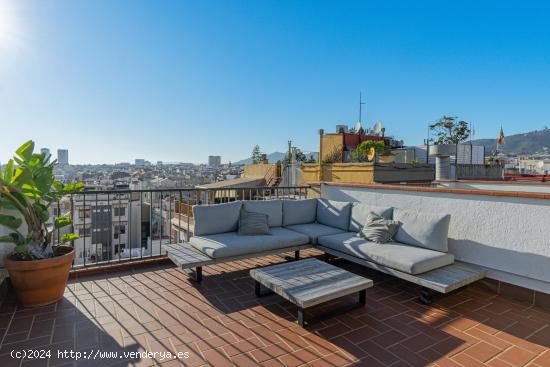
(179, 80)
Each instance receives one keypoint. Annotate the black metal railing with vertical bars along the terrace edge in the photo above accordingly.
(127, 225)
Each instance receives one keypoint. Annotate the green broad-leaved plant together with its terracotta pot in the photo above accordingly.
(38, 267)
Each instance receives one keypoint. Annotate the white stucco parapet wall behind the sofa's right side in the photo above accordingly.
(510, 236)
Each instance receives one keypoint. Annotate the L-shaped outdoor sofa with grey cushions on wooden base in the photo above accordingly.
(419, 252)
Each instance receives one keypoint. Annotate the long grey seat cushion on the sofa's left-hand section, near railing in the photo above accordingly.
(232, 244)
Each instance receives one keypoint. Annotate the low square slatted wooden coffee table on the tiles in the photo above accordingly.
(310, 282)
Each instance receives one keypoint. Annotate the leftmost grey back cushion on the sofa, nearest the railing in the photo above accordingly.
(216, 218)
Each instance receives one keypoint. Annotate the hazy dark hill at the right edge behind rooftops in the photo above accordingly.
(532, 142)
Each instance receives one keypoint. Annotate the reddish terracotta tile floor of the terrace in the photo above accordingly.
(221, 323)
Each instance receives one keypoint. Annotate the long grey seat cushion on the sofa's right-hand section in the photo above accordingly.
(398, 256)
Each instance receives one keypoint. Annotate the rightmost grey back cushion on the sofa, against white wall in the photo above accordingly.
(422, 229)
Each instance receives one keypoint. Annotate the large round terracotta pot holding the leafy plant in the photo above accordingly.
(41, 282)
